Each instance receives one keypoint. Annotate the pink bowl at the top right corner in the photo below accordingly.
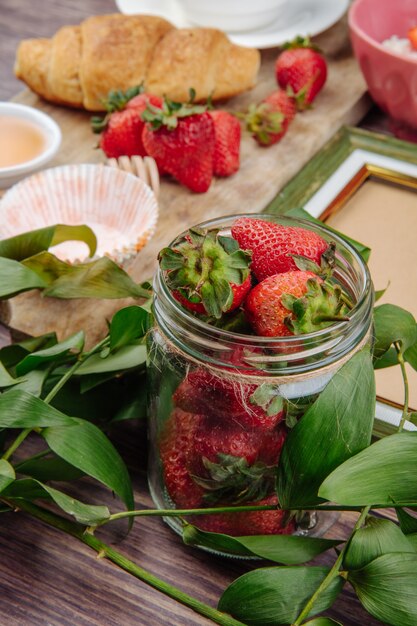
(391, 77)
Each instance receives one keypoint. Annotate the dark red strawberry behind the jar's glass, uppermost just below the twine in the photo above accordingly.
(224, 400)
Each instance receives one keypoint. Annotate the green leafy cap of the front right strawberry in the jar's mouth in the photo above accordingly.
(323, 304)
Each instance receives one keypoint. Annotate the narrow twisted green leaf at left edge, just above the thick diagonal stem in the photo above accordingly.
(30, 489)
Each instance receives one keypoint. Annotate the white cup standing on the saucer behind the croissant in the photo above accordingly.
(232, 15)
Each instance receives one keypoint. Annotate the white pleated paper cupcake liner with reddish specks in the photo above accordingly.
(119, 207)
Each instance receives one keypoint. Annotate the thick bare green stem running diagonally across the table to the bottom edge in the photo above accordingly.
(128, 566)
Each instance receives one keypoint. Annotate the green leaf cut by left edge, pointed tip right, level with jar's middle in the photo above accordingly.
(19, 409)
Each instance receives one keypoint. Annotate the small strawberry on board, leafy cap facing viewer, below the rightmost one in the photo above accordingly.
(268, 121)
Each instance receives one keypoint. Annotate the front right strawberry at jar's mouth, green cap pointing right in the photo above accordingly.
(294, 302)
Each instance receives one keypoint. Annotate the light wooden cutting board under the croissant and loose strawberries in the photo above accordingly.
(263, 173)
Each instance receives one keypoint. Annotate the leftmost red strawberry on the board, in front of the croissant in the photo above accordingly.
(121, 129)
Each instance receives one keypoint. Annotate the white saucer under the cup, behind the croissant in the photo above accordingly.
(304, 17)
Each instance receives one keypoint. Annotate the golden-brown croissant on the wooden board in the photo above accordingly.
(81, 64)
